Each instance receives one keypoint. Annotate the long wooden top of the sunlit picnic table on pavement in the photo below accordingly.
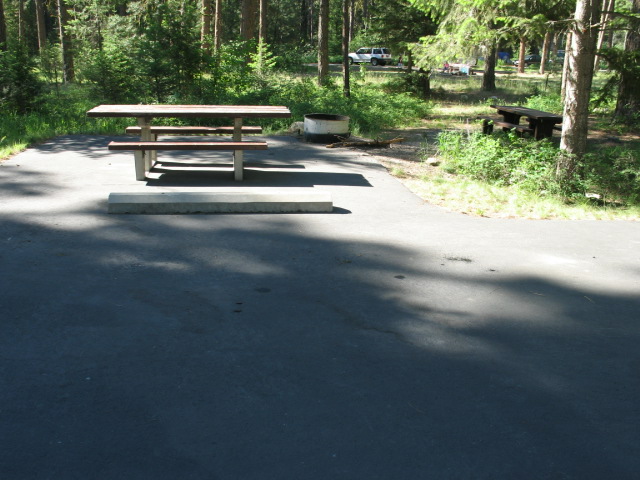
(191, 111)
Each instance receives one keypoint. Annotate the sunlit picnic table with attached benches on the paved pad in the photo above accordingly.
(146, 149)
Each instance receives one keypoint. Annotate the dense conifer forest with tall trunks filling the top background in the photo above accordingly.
(156, 50)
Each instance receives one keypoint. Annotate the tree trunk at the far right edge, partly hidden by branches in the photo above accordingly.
(628, 104)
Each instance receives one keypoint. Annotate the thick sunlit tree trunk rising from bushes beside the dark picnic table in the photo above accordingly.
(579, 78)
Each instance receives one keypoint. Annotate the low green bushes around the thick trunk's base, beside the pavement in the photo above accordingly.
(612, 175)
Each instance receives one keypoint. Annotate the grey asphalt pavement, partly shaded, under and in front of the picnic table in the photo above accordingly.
(387, 340)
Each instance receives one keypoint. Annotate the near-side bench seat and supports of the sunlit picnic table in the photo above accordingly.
(143, 151)
